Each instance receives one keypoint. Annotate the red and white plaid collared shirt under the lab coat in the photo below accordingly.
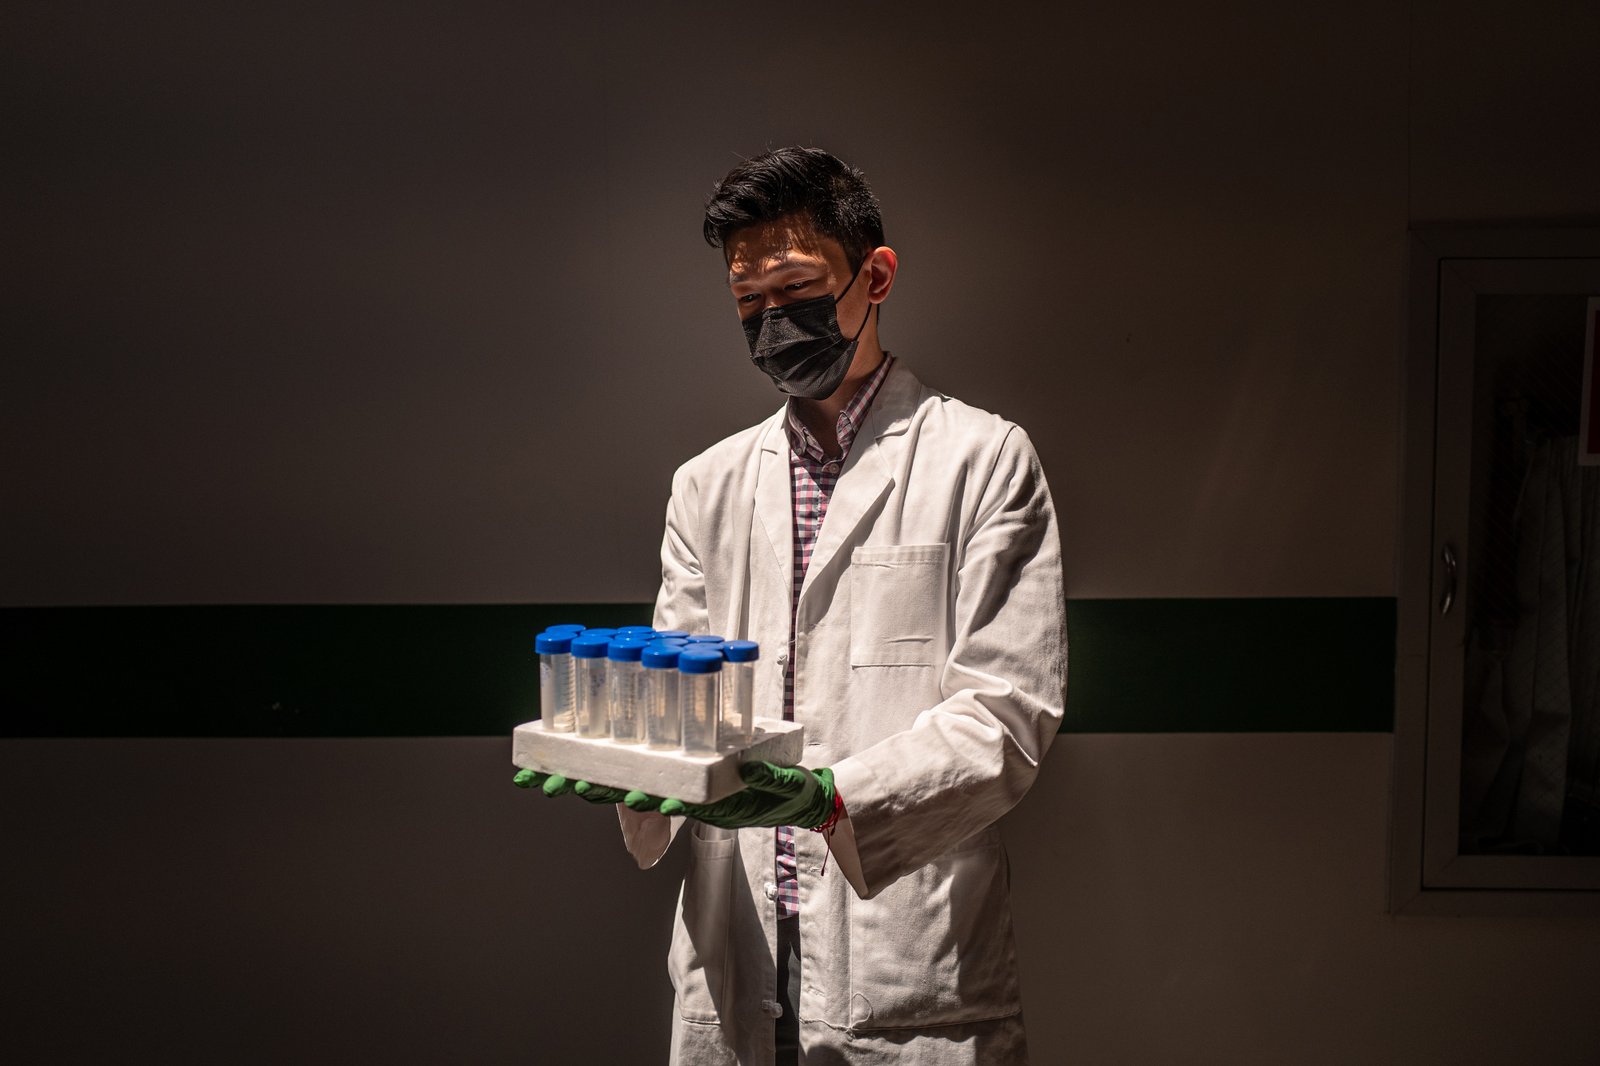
(812, 479)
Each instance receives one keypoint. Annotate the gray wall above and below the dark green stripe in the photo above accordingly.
(322, 307)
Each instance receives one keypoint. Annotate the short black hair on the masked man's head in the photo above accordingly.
(807, 182)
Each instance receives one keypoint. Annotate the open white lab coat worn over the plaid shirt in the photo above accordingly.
(930, 675)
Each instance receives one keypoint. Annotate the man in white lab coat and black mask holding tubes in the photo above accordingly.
(897, 555)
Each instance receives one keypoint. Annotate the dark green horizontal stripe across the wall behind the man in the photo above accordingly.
(1279, 665)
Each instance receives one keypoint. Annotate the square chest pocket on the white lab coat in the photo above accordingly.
(897, 604)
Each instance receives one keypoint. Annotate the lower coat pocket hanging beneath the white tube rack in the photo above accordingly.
(698, 961)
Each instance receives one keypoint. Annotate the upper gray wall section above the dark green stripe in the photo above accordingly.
(383, 305)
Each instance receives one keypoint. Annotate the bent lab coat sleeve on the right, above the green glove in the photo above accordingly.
(969, 759)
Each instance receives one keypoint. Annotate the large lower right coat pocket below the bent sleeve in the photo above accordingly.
(935, 948)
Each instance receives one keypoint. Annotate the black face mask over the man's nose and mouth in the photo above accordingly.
(799, 345)
